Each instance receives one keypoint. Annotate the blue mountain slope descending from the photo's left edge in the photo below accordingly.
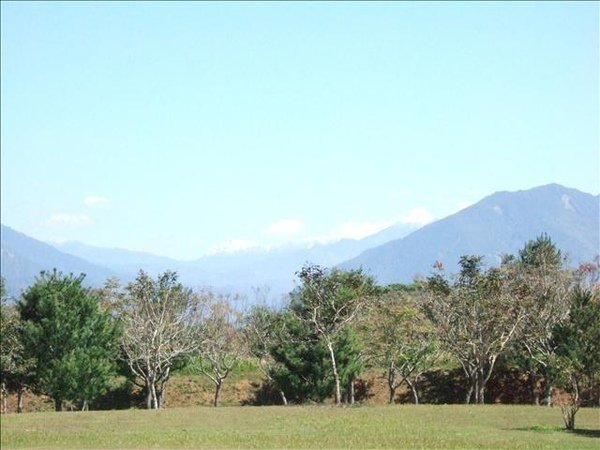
(22, 259)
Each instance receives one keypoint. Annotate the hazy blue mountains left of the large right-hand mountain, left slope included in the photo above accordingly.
(24, 257)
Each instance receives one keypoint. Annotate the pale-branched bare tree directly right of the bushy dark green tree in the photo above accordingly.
(160, 326)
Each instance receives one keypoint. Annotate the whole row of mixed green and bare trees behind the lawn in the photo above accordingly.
(69, 342)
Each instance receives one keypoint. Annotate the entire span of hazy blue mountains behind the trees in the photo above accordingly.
(500, 223)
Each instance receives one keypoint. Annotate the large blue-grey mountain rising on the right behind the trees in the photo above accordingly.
(500, 223)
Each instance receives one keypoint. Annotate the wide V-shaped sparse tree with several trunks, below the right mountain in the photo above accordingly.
(476, 317)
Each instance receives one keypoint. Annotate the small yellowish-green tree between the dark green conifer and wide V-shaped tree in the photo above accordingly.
(403, 341)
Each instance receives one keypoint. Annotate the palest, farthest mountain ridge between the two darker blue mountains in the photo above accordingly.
(237, 272)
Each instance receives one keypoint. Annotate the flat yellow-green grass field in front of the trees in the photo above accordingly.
(393, 426)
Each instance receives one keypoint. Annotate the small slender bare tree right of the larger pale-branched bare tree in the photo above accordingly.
(221, 344)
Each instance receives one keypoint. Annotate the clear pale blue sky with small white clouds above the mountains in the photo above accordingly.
(183, 129)
